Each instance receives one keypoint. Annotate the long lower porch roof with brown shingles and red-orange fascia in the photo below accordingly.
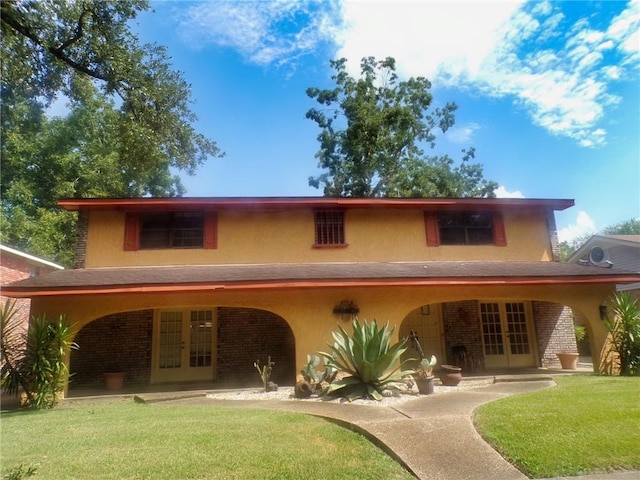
(309, 275)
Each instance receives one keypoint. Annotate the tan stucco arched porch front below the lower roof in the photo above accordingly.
(309, 311)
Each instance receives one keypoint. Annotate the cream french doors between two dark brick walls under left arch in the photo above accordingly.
(184, 345)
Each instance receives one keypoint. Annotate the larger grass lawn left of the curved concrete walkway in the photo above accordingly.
(123, 440)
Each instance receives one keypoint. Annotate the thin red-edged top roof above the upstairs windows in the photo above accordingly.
(270, 203)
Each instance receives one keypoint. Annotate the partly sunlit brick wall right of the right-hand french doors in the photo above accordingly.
(554, 328)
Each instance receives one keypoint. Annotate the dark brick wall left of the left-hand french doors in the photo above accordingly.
(119, 342)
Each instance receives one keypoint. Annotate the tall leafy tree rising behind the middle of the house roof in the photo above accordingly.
(372, 132)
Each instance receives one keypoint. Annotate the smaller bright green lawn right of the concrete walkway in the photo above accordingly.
(586, 424)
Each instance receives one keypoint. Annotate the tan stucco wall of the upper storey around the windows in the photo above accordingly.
(288, 237)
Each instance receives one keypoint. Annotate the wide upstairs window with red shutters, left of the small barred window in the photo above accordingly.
(162, 230)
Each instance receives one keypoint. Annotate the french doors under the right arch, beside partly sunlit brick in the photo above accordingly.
(506, 334)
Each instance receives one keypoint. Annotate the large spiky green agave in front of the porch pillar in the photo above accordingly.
(368, 358)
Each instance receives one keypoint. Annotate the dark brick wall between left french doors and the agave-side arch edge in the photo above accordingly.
(246, 335)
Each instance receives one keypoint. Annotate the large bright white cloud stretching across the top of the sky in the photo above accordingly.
(556, 68)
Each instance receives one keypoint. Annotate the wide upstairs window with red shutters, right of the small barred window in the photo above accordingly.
(465, 228)
